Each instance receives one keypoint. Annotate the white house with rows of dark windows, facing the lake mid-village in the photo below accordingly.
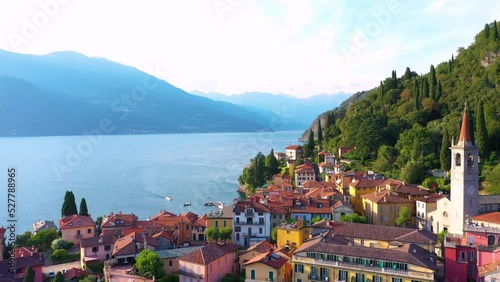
(252, 223)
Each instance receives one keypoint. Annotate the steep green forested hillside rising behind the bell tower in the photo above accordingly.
(405, 126)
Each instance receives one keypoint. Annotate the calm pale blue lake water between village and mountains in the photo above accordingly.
(128, 173)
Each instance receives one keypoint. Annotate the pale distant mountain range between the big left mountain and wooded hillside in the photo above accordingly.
(291, 109)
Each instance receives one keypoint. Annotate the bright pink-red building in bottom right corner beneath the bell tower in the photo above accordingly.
(469, 257)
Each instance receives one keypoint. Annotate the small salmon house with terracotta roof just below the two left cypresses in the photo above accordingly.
(76, 227)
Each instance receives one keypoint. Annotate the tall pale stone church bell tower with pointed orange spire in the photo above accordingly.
(464, 180)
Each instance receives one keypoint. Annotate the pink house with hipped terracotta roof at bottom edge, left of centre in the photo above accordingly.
(209, 264)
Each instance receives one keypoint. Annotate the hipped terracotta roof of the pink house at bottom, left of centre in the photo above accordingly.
(209, 253)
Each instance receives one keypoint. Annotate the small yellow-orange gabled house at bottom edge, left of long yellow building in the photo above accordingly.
(268, 267)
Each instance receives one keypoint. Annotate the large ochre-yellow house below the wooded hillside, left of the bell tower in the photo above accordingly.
(382, 207)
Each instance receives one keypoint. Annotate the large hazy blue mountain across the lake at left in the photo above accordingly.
(67, 93)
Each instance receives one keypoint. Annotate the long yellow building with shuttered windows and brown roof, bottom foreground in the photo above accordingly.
(330, 258)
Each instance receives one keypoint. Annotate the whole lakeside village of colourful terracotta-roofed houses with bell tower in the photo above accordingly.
(322, 224)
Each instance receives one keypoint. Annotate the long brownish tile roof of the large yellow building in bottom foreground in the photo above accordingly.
(407, 253)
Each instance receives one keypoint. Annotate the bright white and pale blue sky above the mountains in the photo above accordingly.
(296, 47)
